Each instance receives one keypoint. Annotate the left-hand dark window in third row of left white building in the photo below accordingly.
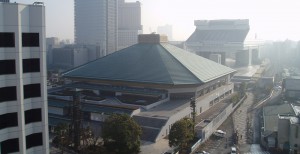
(8, 94)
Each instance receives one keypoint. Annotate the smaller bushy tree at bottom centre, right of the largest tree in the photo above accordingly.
(181, 134)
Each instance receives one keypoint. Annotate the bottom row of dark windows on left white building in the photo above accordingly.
(12, 145)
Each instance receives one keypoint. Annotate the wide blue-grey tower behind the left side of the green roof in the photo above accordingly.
(96, 23)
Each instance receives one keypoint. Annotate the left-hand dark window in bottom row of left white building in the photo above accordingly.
(9, 146)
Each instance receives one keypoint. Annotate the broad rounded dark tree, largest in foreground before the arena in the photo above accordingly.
(121, 134)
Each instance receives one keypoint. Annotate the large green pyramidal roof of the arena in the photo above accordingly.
(156, 63)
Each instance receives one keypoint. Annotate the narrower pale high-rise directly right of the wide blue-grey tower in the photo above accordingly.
(129, 23)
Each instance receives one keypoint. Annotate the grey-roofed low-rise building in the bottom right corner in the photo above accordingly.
(281, 127)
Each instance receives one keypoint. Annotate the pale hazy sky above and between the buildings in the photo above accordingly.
(269, 19)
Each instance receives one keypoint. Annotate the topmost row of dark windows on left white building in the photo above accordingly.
(7, 39)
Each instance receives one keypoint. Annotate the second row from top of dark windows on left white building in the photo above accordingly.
(29, 65)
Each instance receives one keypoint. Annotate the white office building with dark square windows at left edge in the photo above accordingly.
(23, 94)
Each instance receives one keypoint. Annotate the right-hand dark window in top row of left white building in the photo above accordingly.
(30, 40)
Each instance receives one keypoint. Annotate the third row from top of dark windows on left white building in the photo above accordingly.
(10, 93)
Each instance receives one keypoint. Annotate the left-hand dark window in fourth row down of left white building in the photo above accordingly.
(8, 120)
